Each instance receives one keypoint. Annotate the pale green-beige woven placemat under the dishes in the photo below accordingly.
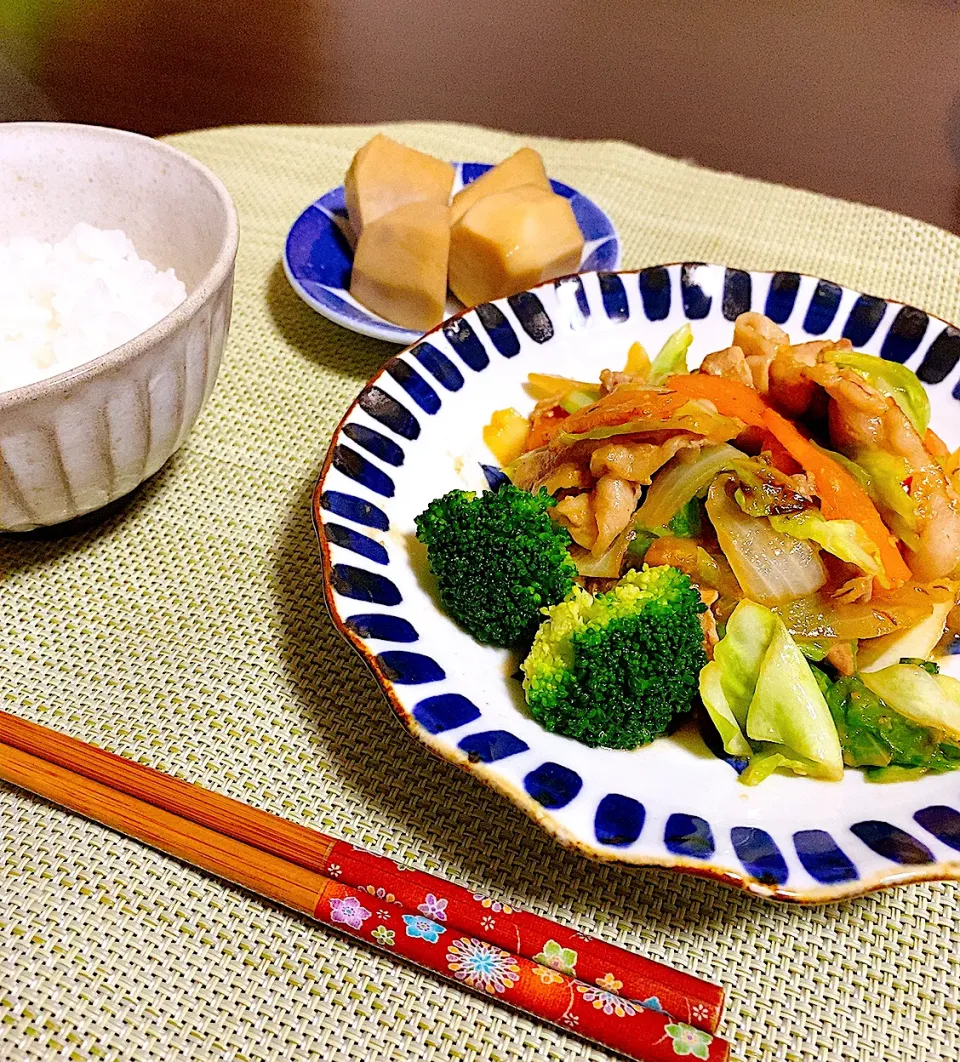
(187, 630)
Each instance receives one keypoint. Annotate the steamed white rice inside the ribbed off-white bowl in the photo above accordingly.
(64, 304)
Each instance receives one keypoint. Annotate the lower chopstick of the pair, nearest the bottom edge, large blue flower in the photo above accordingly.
(587, 1010)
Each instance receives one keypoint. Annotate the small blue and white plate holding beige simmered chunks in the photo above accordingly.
(318, 259)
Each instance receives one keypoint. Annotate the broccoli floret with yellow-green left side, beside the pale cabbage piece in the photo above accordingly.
(615, 670)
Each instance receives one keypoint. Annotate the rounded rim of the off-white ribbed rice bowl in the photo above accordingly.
(167, 327)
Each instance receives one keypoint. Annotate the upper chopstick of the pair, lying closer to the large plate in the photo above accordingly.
(611, 969)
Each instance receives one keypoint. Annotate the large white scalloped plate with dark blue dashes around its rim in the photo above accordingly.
(416, 433)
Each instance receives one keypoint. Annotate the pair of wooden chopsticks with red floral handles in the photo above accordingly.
(527, 962)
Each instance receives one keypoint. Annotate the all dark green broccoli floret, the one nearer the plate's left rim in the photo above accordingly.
(499, 560)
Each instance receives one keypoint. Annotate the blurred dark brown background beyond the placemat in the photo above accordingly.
(854, 98)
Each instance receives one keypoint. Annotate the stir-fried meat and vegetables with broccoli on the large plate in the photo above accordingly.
(770, 543)
